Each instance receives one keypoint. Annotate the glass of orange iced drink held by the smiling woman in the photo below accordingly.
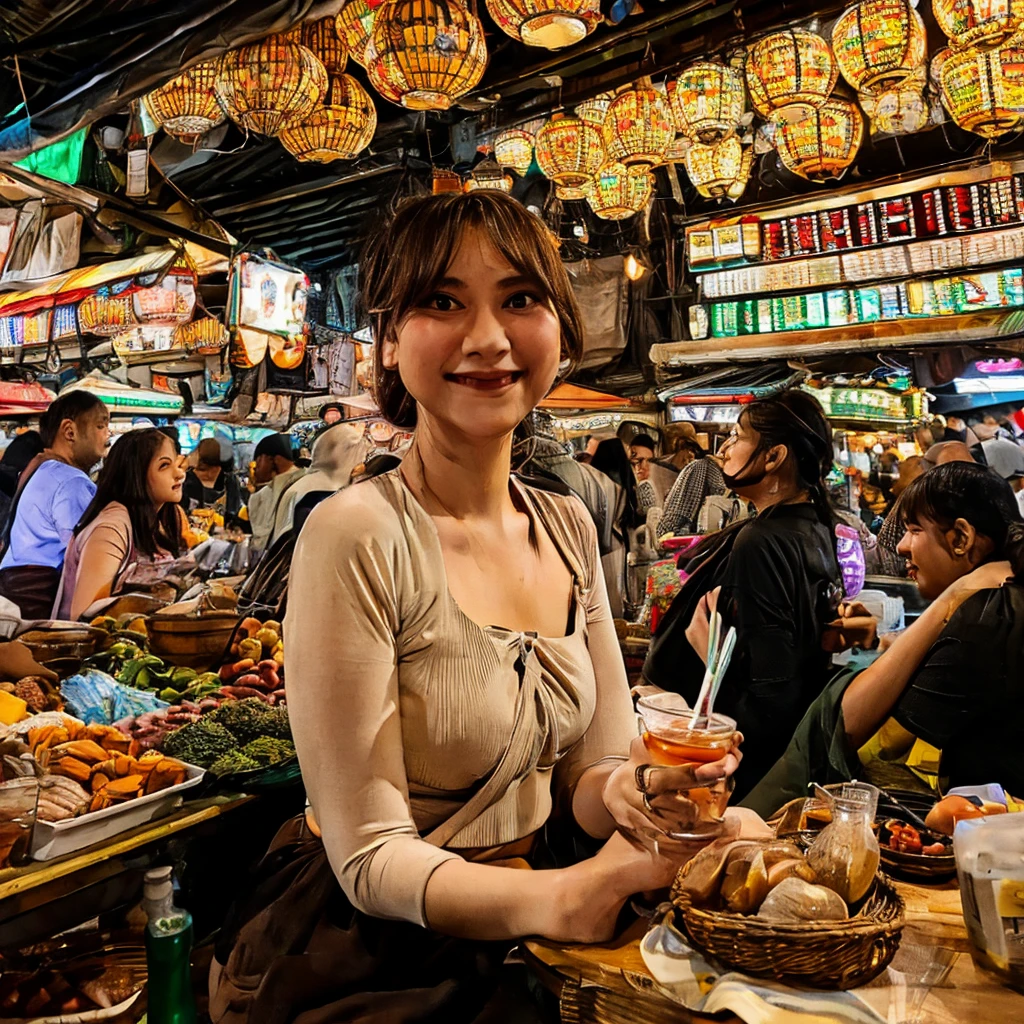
(671, 739)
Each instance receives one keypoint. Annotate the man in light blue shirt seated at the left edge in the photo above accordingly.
(53, 495)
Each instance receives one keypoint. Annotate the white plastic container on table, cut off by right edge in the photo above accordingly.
(991, 866)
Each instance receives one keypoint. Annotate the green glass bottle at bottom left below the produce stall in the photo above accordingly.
(168, 950)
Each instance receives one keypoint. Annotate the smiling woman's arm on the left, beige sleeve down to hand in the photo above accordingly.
(342, 660)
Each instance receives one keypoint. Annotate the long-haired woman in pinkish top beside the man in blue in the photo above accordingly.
(134, 517)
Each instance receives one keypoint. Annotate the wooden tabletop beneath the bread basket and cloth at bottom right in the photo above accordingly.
(611, 985)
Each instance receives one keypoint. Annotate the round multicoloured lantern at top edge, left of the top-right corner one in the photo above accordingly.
(878, 44)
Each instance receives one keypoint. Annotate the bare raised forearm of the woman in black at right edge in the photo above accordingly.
(875, 693)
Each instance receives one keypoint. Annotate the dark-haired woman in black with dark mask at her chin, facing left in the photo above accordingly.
(780, 579)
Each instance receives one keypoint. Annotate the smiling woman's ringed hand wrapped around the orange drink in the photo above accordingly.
(665, 807)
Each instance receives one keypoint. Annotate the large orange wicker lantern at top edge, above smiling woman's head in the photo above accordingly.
(432, 52)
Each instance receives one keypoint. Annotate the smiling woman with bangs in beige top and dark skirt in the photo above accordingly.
(457, 695)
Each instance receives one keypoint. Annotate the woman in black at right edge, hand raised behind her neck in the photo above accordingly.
(937, 709)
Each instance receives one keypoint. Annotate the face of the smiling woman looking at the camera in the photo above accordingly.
(483, 351)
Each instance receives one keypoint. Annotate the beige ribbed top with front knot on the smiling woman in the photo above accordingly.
(401, 705)
